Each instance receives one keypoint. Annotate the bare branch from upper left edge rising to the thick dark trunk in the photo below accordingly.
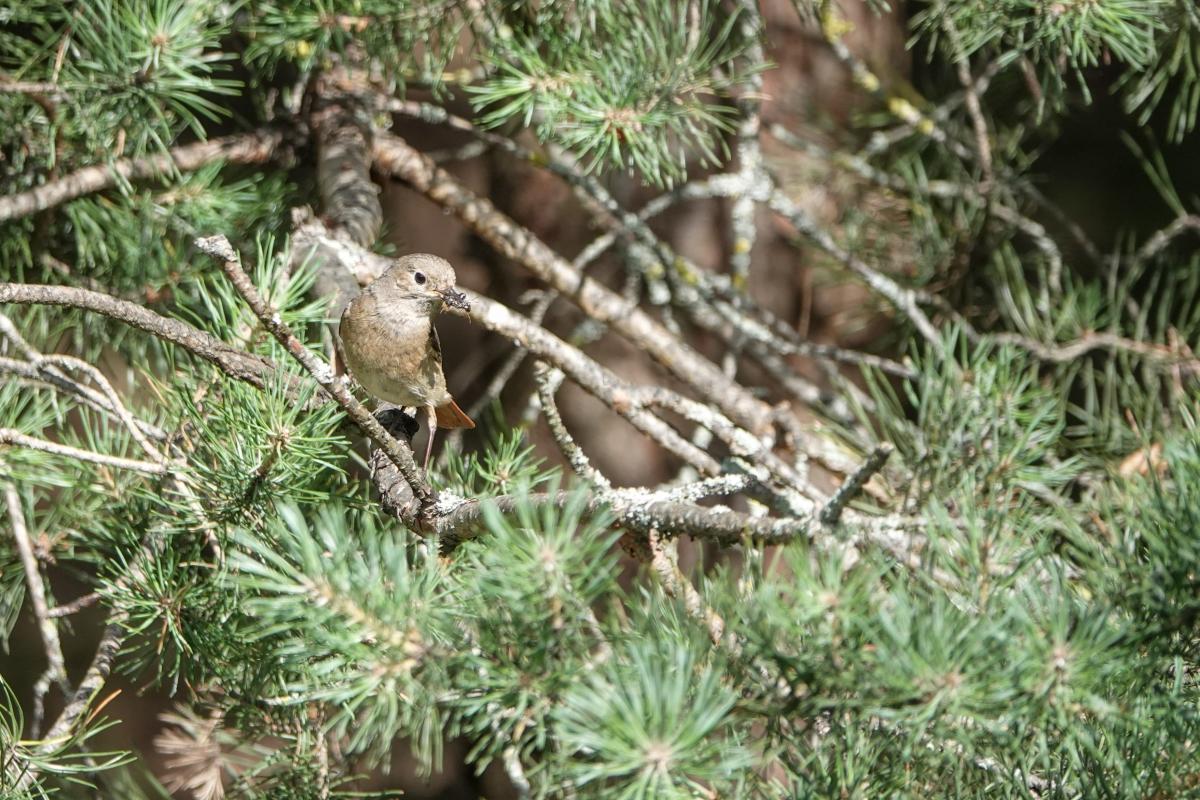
(242, 149)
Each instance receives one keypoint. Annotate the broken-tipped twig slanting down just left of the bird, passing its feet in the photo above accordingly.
(220, 249)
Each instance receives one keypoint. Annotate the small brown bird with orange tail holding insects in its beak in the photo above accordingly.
(391, 344)
